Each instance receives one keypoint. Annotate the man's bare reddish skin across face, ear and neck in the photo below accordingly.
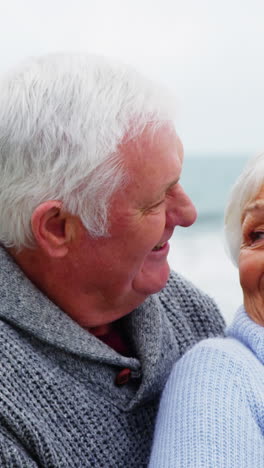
(96, 281)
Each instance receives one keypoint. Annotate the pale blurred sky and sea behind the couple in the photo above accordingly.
(210, 55)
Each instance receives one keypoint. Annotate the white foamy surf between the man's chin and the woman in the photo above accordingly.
(201, 257)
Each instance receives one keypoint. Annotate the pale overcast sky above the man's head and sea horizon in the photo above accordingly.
(209, 53)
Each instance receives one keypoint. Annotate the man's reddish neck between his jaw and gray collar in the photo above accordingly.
(88, 305)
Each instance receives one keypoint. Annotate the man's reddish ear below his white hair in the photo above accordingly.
(52, 228)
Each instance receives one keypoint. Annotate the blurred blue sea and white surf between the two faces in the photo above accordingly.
(198, 251)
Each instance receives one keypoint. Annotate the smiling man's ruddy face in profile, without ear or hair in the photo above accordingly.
(132, 263)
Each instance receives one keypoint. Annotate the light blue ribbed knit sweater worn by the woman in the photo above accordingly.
(212, 409)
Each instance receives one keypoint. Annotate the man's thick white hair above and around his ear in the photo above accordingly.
(62, 118)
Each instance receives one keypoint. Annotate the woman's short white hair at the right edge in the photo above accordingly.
(244, 191)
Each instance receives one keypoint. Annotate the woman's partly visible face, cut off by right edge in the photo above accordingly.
(251, 258)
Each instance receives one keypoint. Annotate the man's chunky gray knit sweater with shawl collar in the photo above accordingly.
(59, 405)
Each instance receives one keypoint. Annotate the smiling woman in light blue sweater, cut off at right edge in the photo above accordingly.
(212, 409)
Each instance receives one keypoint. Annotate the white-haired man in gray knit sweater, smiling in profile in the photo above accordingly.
(92, 320)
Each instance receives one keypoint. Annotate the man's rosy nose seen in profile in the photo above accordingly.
(181, 210)
